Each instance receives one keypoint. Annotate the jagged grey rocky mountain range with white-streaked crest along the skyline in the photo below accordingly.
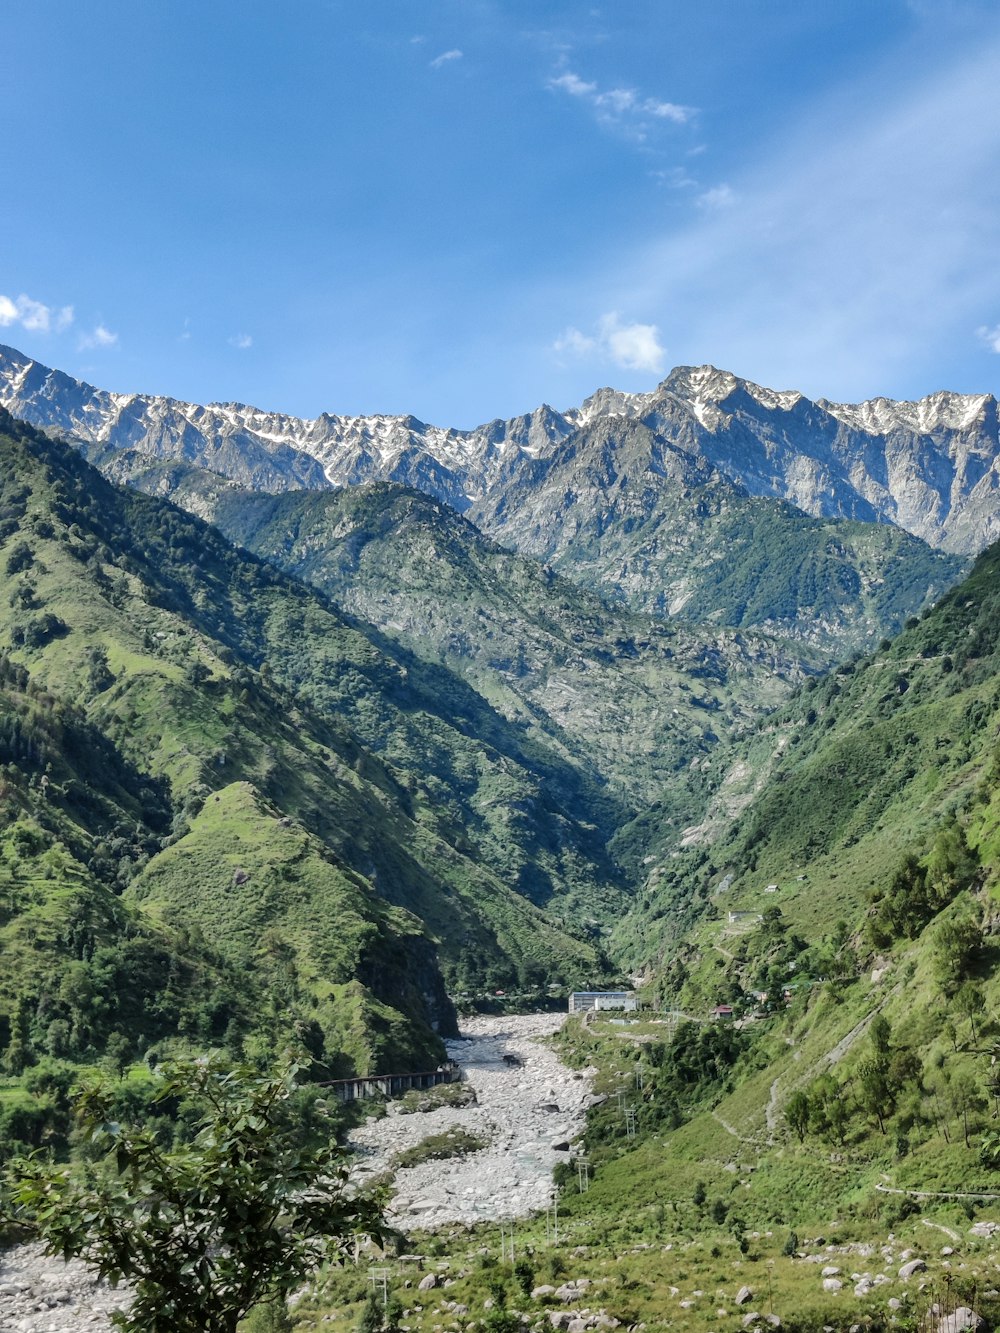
(931, 469)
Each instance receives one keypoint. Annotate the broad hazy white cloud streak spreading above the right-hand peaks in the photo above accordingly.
(863, 251)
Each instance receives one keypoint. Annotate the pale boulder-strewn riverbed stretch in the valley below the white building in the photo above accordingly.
(530, 1108)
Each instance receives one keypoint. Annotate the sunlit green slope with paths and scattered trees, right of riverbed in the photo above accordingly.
(849, 915)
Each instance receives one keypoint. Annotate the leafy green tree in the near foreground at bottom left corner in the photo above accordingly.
(210, 1231)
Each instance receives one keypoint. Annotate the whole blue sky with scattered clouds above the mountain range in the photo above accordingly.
(463, 209)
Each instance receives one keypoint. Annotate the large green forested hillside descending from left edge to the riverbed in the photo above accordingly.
(201, 748)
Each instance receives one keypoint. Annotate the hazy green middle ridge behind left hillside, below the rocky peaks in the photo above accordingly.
(630, 699)
